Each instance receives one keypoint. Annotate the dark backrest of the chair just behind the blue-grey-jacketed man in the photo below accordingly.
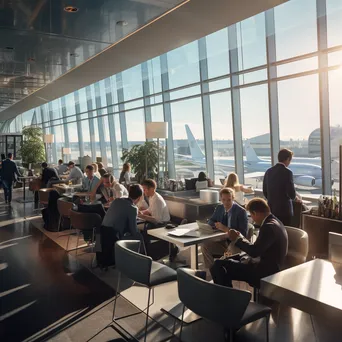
(133, 265)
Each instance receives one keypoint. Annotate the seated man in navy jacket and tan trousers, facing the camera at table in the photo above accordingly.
(226, 215)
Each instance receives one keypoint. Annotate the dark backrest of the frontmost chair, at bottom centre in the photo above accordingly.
(219, 304)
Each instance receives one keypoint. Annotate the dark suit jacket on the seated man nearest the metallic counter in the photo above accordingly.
(270, 246)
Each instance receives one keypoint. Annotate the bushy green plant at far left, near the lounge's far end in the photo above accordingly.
(32, 147)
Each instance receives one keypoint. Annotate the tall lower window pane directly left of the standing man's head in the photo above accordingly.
(255, 133)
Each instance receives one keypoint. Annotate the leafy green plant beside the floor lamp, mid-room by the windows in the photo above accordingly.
(138, 156)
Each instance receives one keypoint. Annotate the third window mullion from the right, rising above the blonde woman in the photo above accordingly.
(235, 98)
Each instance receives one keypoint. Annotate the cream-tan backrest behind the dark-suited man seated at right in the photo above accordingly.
(298, 246)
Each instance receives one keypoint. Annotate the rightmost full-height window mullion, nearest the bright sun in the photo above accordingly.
(324, 96)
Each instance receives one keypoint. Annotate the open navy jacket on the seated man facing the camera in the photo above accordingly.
(238, 221)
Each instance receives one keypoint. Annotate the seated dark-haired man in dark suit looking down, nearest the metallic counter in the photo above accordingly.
(270, 248)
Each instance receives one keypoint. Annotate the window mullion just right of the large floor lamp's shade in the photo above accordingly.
(167, 115)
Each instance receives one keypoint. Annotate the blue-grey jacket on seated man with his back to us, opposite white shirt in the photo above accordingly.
(122, 217)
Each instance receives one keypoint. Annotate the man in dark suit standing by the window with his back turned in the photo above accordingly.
(278, 187)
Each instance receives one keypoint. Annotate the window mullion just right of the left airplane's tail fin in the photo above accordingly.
(206, 112)
